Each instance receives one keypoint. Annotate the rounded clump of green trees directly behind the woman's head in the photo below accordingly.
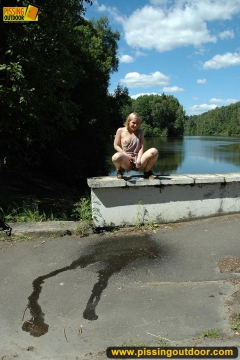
(161, 115)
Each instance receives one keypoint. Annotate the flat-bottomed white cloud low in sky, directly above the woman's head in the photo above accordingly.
(134, 80)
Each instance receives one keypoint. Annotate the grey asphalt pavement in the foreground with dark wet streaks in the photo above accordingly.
(69, 297)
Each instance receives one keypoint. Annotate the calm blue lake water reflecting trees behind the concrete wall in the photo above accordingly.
(193, 155)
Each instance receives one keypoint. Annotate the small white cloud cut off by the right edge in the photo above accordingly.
(220, 61)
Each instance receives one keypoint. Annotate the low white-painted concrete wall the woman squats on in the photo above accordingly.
(171, 198)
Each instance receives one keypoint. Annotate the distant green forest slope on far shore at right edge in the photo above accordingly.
(220, 121)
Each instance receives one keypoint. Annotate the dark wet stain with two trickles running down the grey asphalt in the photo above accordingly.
(115, 255)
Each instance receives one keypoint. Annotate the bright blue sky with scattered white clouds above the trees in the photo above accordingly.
(188, 49)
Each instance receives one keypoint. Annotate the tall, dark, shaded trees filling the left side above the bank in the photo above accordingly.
(55, 111)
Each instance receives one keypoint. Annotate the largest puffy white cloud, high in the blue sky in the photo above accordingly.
(152, 27)
